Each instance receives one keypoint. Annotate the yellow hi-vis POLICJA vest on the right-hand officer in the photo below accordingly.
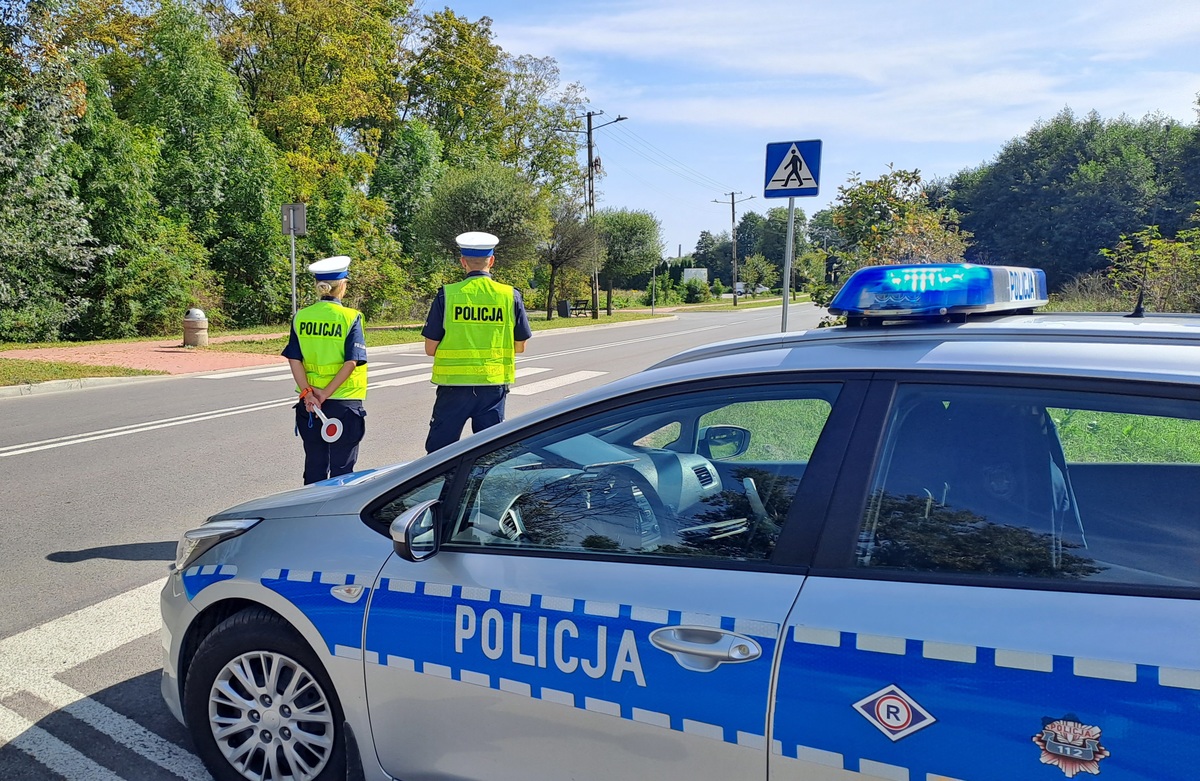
(478, 349)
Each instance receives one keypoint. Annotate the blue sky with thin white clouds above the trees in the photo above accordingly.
(935, 86)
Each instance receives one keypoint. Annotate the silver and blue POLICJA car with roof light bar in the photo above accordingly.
(953, 539)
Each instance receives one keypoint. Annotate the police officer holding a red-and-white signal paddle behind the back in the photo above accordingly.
(328, 355)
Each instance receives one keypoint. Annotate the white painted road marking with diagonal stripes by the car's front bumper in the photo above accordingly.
(32, 660)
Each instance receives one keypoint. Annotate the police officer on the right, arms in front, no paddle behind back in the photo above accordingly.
(473, 332)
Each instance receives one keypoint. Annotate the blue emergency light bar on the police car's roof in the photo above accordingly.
(938, 291)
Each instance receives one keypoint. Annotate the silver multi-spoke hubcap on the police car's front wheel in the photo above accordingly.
(261, 689)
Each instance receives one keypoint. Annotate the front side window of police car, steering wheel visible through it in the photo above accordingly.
(647, 479)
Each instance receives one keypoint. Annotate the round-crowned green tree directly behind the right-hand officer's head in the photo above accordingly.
(487, 197)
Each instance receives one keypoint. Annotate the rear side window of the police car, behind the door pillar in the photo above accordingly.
(1022, 484)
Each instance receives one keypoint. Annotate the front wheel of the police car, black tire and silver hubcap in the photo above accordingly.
(261, 706)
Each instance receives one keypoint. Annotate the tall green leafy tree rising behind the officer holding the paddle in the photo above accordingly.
(219, 175)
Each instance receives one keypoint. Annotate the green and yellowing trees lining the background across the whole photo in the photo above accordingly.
(147, 149)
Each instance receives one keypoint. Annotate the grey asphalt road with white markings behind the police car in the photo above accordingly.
(101, 483)
